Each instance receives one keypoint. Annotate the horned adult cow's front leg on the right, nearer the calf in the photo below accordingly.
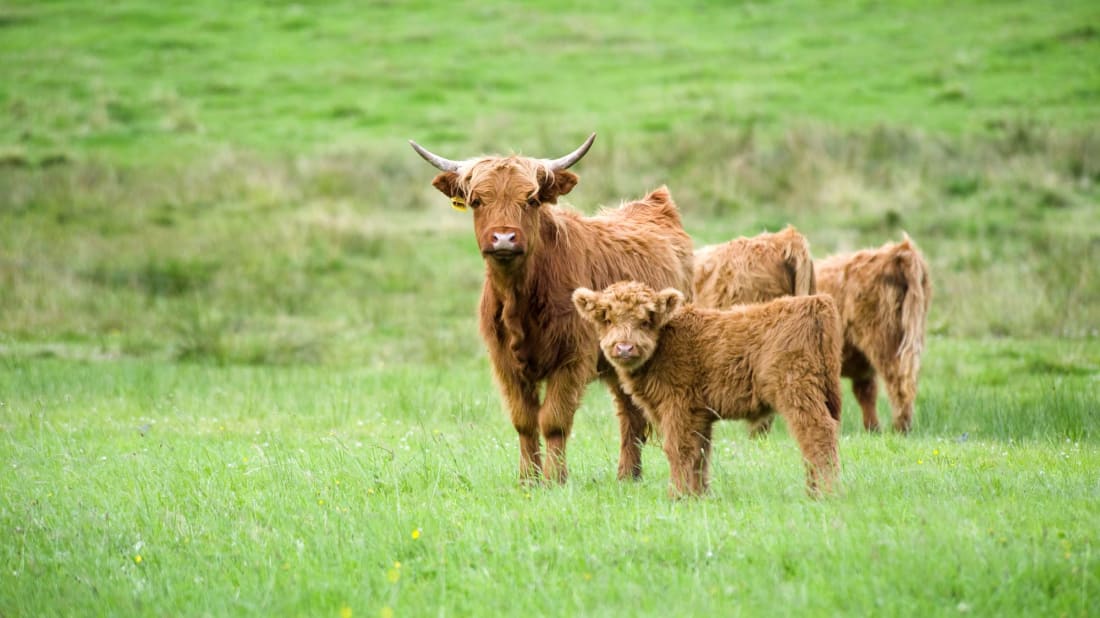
(565, 389)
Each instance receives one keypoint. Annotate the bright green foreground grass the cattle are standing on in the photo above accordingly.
(298, 491)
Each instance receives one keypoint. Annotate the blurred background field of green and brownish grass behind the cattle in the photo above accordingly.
(206, 184)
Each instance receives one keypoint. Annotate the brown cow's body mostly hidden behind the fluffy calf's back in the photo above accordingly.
(754, 270)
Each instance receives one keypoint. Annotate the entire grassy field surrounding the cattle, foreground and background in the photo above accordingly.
(239, 363)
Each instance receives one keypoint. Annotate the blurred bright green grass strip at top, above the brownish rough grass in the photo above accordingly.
(138, 81)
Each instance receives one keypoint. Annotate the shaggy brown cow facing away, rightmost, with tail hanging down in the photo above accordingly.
(884, 296)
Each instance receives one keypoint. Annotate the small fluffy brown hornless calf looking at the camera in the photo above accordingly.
(690, 368)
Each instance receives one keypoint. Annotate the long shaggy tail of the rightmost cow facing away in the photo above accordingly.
(915, 305)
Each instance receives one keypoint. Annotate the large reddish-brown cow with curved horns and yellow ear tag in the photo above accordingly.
(536, 256)
